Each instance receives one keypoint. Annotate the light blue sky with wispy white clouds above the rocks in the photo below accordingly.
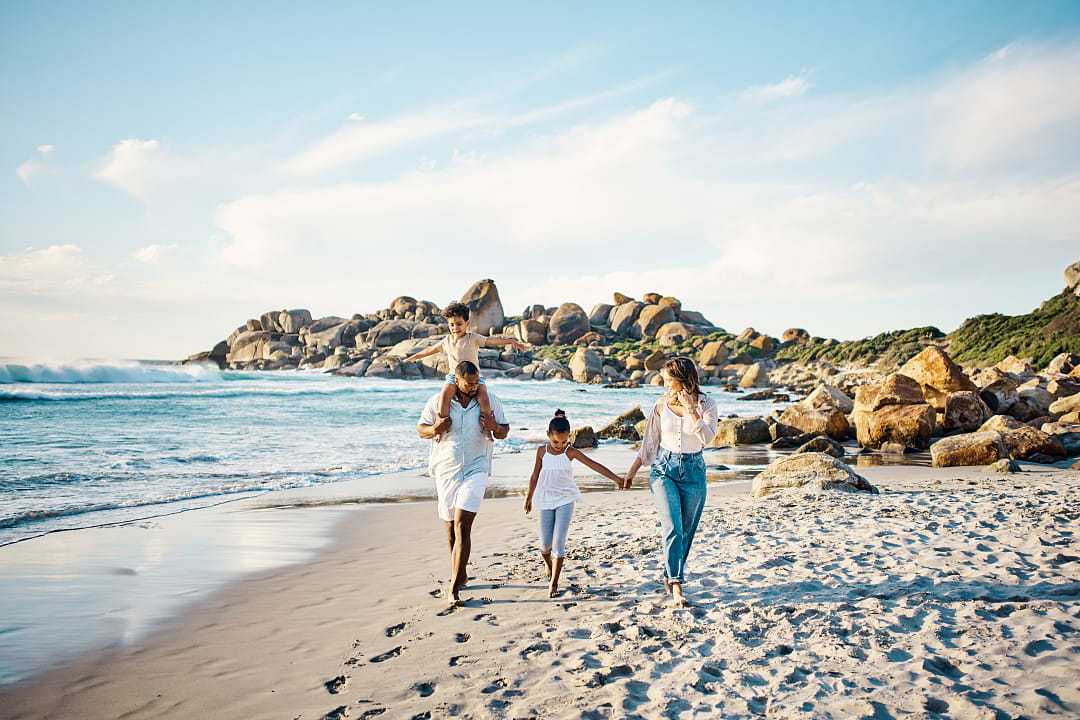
(849, 169)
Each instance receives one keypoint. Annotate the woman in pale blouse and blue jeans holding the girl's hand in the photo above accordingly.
(681, 425)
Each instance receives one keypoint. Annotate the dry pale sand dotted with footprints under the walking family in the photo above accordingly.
(955, 593)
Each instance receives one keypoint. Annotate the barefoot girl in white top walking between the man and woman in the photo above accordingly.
(555, 493)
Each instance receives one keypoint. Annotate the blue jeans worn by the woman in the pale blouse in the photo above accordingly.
(678, 485)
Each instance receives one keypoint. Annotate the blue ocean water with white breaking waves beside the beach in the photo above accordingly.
(86, 444)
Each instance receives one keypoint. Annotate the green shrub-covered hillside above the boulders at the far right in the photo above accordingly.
(1054, 329)
